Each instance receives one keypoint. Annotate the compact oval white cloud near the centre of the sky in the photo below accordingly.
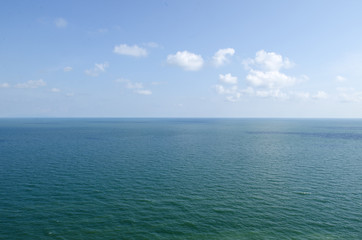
(188, 61)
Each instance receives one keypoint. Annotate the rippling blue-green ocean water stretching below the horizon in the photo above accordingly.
(180, 179)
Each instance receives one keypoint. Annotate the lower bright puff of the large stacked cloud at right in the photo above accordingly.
(270, 79)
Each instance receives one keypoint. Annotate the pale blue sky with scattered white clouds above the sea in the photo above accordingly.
(159, 58)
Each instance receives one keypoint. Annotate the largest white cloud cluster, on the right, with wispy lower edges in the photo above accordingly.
(265, 80)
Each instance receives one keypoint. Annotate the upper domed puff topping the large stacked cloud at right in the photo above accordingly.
(268, 61)
